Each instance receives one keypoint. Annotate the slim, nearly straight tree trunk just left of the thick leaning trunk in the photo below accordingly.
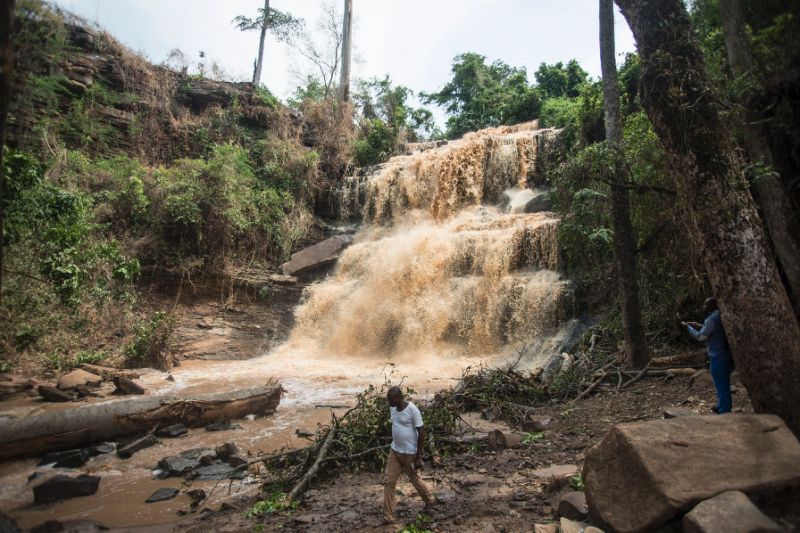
(636, 352)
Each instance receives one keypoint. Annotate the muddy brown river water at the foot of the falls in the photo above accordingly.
(310, 380)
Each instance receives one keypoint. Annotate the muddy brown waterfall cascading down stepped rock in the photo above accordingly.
(446, 261)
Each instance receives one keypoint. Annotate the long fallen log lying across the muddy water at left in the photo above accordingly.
(67, 428)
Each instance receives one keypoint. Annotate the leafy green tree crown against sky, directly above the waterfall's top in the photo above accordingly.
(481, 95)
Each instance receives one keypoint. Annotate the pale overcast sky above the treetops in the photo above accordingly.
(414, 41)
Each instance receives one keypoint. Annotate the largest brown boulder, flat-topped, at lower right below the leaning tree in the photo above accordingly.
(643, 474)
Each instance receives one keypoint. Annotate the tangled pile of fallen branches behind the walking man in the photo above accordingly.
(360, 438)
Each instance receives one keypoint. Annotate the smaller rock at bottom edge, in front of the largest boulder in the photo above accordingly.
(726, 512)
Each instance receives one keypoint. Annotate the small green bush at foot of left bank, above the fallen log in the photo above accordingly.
(151, 343)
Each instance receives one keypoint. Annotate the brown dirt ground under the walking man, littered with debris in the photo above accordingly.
(480, 491)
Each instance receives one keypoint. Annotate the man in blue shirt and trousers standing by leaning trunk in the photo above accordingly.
(713, 334)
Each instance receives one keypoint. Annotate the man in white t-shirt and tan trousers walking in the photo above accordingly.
(405, 454)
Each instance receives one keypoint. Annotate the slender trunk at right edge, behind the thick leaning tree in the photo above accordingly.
(776, 207)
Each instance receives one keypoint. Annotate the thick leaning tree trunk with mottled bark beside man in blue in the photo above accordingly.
(720, 212)
